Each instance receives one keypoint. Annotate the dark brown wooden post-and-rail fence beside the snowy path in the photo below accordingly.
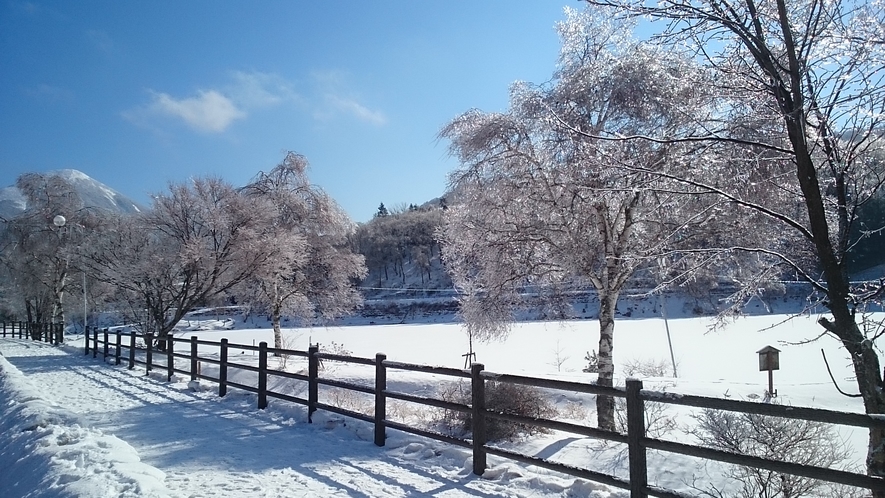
(112, 344)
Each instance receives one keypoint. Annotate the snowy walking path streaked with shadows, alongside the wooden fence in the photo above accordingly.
(210, 446)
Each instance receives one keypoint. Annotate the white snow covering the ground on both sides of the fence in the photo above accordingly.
(75, 426)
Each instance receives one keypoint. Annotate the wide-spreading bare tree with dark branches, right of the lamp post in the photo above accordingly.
(197, 242)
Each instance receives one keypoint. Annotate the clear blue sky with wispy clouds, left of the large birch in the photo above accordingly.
(138, 94)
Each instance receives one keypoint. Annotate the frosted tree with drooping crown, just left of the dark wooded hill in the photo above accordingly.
(314, 274)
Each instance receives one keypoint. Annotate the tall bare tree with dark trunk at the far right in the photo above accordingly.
(800, 83)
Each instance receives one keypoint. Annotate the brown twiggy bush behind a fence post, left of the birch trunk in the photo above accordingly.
(513, 399)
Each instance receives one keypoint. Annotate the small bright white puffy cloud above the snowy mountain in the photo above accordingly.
(209, 112)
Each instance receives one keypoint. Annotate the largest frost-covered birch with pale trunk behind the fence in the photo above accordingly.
(542, 207)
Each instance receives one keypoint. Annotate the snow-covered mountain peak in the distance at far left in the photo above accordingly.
(93, 193)
